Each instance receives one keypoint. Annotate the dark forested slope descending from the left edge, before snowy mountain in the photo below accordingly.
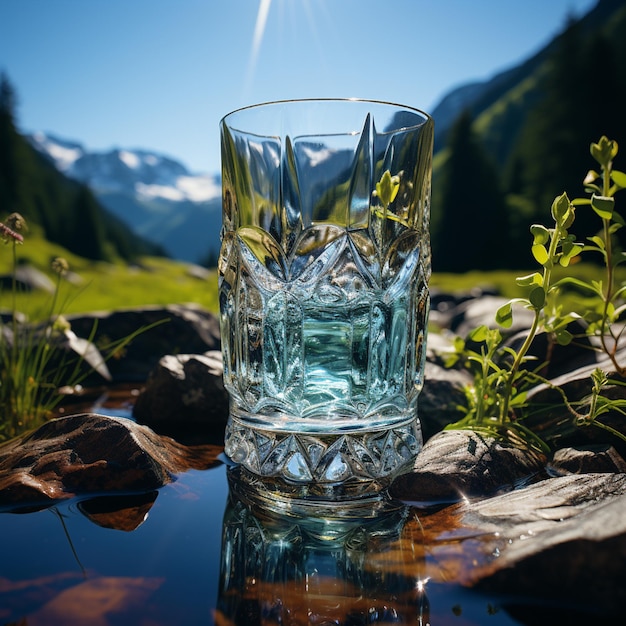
(65, 210)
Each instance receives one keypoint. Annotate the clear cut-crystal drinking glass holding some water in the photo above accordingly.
(323, 289)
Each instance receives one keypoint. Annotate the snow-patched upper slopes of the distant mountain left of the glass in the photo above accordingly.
(141, 172)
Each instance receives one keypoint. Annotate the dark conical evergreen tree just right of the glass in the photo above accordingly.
(470, 225)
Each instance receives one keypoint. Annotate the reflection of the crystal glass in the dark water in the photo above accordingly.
(344, 565)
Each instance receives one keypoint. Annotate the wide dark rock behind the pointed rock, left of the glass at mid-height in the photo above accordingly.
(185, 329)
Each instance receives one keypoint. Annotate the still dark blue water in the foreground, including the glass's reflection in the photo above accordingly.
(190, 553)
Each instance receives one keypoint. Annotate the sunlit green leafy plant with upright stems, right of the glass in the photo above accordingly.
(502, 376)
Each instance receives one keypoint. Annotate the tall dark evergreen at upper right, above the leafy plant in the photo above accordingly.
(583, 99)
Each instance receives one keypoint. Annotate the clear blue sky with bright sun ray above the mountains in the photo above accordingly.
(160, 74)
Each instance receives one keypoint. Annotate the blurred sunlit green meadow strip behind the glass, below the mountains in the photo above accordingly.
(157, 281)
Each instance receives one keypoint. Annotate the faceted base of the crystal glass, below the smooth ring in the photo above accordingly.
(322, 465)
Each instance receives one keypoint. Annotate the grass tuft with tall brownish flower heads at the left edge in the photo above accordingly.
(36, 360)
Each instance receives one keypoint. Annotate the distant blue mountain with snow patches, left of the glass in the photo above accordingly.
(155, 195)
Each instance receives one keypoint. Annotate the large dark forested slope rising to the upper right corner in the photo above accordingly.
(524, 138)
